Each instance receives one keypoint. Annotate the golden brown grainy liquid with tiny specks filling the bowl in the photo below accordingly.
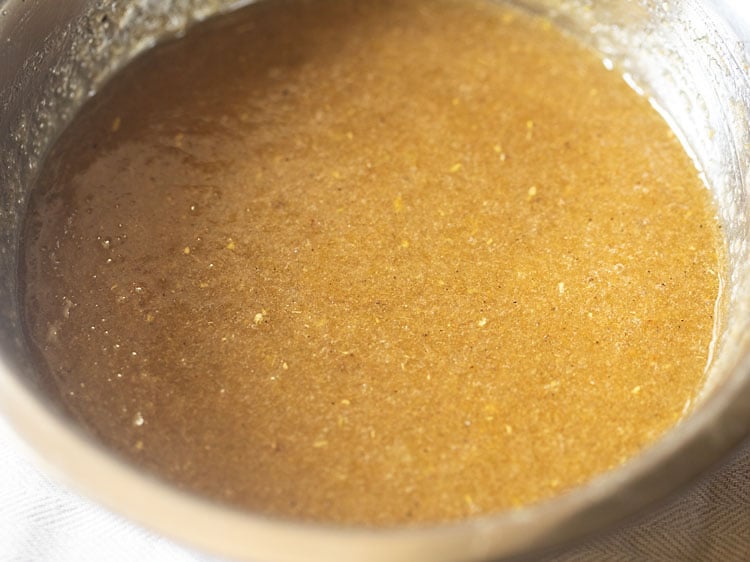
(373, 262)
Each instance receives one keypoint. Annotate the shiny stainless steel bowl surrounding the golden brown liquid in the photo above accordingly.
(690, 57)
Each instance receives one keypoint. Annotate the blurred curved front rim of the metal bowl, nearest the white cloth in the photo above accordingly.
(708, 435)
